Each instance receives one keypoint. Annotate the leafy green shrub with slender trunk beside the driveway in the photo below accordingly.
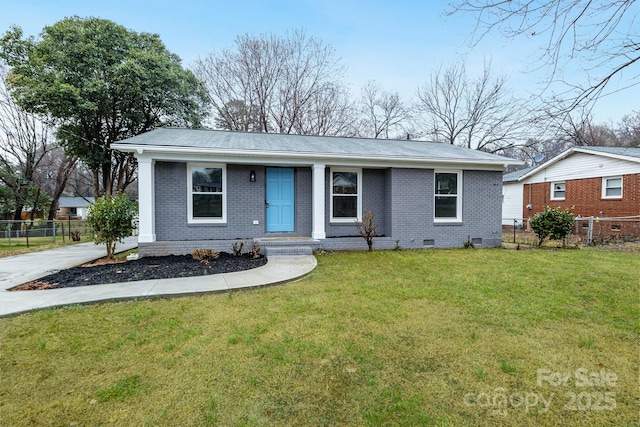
(111, 220)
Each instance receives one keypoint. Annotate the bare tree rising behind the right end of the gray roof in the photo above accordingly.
(475, 113)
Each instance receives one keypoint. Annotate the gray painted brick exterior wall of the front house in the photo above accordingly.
(402, 200)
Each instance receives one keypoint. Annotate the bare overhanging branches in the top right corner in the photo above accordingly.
(600, 34)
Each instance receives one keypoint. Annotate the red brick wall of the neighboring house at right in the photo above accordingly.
(585, 196)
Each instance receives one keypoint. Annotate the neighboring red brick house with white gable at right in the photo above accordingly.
(594, 181)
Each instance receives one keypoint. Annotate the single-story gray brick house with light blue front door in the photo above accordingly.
(209, 189)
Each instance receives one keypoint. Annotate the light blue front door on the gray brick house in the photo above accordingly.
(280, 199)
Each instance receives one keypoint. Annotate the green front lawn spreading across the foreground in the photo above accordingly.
(431, 337)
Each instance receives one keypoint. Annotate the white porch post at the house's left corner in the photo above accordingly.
(146, 200)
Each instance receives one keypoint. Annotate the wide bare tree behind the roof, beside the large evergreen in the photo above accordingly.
(289, 84)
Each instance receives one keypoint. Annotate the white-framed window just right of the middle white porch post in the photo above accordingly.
(346, 200)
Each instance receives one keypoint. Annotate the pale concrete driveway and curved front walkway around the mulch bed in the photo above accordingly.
(23, 268)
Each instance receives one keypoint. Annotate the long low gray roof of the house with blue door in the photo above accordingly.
(213, 141)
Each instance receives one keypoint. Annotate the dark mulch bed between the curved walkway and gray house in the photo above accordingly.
(147, 268)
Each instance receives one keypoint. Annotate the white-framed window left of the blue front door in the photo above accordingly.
(207, 193)
